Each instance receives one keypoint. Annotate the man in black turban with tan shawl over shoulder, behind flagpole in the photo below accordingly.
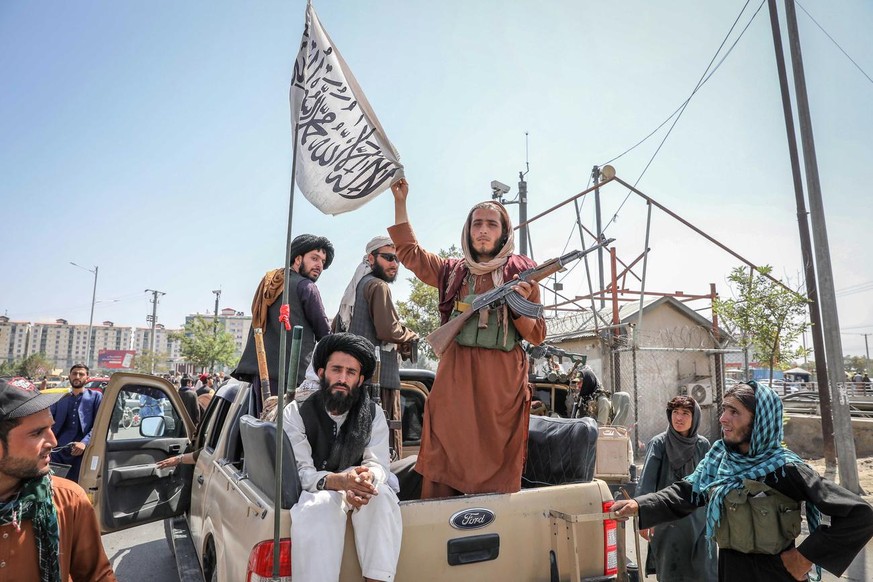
(310, 255)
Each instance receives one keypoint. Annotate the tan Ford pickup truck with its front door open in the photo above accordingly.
(219, 512)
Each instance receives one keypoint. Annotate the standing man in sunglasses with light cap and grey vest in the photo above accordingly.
(367, 310)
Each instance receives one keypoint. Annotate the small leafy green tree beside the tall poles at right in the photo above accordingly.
(769, 317)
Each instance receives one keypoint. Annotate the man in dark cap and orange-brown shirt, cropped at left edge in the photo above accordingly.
(48, 530)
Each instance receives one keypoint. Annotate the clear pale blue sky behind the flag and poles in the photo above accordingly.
(153, 139)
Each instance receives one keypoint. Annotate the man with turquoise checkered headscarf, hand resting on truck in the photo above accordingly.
(749, 472)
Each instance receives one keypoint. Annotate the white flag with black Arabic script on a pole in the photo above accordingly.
(344, 158)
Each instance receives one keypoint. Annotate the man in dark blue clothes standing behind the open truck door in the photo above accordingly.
(74, 418)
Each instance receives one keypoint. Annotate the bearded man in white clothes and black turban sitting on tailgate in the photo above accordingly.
(340, 442)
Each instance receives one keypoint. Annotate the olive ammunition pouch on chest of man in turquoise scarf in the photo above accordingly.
(757, 519)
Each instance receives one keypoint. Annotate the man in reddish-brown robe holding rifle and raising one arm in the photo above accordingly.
(475, 429)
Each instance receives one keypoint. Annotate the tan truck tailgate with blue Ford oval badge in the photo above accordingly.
(497, 536)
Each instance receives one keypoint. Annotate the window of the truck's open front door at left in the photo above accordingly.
(138, 402)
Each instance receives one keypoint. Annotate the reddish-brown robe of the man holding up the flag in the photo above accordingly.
(474, 435)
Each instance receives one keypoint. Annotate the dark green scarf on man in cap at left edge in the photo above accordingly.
(34, 502)
